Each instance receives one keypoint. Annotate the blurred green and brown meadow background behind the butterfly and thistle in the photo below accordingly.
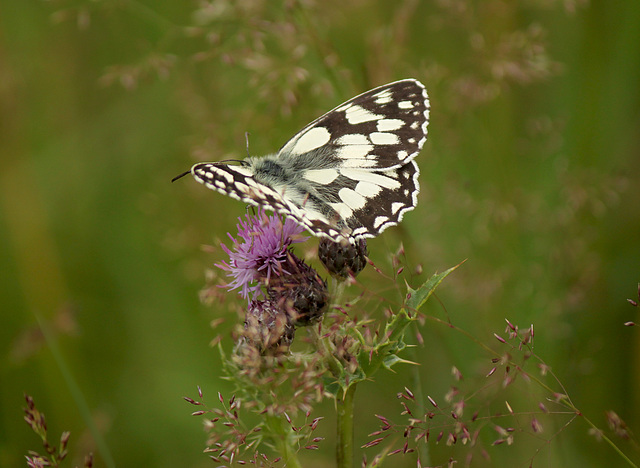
(530, 172)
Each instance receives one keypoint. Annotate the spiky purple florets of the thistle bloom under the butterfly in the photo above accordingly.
(260, 251)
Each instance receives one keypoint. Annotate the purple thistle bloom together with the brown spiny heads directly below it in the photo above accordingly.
(283, 291)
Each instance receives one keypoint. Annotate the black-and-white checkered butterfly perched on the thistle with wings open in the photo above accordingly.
(347, 175)
